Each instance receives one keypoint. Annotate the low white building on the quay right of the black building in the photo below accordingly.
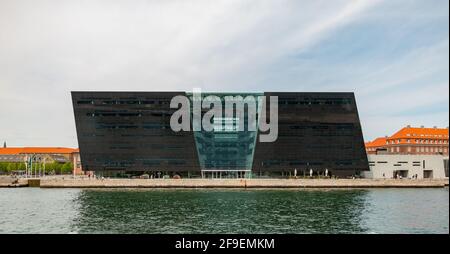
(407, 166)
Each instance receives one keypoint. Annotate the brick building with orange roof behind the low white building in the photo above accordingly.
(412, 140)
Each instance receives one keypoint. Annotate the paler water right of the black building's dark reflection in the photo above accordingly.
(411, 211)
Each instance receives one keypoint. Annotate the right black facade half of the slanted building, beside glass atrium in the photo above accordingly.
(316, 131)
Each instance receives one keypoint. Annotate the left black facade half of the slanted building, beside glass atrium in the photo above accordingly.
(131, 131)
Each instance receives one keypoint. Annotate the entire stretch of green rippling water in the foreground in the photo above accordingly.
(34, 210)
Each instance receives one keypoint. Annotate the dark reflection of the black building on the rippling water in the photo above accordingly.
(220, 211)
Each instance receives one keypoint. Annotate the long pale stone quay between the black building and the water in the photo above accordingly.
(242, 183)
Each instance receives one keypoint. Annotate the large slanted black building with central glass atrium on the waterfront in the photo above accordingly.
(130, 133)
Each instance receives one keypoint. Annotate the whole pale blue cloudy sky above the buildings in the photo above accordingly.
(393, 54)
